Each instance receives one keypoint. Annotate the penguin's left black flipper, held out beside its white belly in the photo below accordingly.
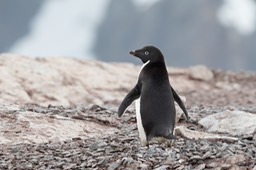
(131, 96)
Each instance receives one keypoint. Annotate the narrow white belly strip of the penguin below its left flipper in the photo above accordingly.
(141, 130)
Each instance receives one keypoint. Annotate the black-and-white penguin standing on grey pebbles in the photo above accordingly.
(155, 109)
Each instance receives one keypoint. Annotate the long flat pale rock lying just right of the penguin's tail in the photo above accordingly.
(192, 134)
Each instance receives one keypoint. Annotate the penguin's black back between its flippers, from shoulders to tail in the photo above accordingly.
(157, 106)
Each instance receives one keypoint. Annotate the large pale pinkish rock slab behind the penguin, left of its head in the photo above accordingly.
(63, 81)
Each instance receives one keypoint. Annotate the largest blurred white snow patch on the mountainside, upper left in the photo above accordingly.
(63, 28)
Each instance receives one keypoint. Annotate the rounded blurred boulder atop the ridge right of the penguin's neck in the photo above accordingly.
(201, 72)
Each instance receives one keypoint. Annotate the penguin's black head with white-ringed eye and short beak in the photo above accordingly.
(148, 53)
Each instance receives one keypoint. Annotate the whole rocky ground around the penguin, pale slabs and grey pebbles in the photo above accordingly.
(58, 118)
